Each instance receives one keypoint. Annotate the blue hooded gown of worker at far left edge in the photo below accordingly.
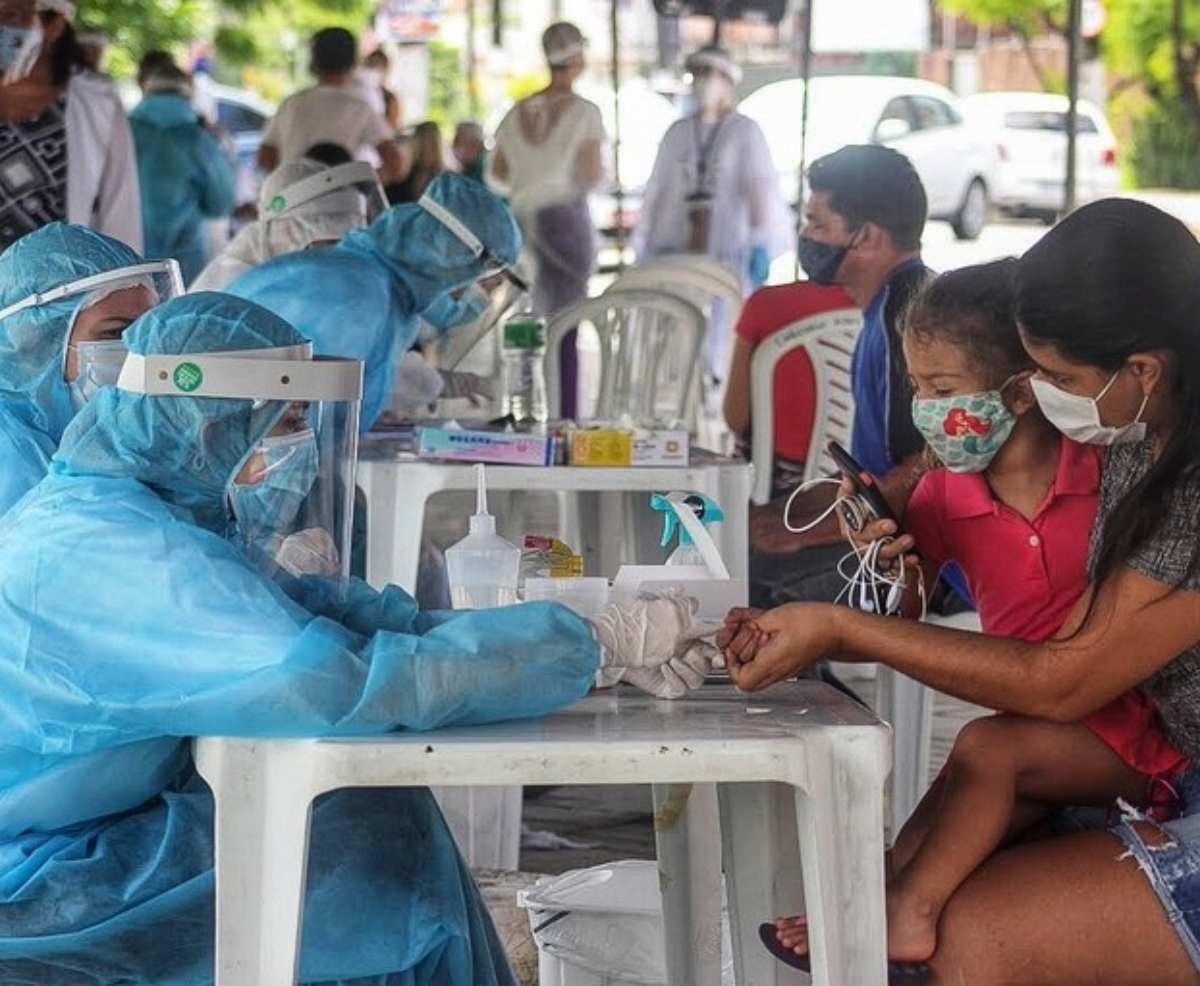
(35, 401)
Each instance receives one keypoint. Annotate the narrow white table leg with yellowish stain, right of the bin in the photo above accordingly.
(686, 826)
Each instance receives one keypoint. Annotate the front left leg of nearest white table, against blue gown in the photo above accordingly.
(261, 859)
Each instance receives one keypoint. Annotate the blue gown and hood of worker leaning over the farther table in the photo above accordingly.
(363, 298)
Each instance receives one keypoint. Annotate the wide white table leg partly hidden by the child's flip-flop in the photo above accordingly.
(763, 875)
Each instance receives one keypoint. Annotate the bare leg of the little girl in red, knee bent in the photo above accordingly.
(1000, 766)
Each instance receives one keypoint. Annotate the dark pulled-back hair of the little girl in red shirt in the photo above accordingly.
(975, 309)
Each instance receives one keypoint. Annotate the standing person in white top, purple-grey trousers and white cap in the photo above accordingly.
(549, 157)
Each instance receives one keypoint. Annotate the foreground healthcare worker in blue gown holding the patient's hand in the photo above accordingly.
(140, 608)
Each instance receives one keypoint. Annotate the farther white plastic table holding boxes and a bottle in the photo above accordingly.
(399, 488)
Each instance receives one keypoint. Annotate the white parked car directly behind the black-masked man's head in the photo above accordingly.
(922, 121)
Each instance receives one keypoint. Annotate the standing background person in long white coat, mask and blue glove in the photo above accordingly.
(716, 191)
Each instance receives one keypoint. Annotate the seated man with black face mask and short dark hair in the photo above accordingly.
(863, 225)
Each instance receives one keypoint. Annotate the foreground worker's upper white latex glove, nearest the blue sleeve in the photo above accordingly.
(646, 633)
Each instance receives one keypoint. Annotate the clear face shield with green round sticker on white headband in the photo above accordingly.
(292, 497)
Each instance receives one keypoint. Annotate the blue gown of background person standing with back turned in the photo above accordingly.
(185, 179)
